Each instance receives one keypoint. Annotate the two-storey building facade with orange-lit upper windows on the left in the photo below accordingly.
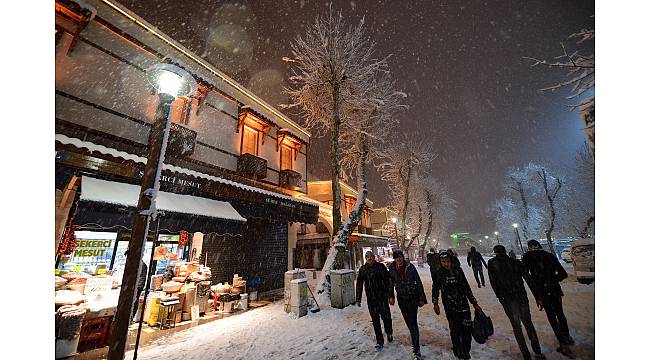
(228, 149)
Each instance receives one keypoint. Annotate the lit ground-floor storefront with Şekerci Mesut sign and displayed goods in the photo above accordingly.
(236, 234)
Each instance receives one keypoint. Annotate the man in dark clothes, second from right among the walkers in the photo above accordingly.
(506, 276)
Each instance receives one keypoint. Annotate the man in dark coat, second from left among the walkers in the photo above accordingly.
(410, 295)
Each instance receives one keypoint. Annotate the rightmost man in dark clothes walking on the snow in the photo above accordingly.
(545, 273)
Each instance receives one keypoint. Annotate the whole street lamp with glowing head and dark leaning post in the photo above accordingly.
(170, 81)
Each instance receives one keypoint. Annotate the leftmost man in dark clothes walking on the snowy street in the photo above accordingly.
(374, 277)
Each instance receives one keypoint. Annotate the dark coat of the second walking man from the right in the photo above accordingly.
(506, 275)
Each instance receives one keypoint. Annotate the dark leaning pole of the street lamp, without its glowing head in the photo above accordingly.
(141, 220)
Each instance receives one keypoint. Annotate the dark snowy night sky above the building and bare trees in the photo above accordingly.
(460, 62)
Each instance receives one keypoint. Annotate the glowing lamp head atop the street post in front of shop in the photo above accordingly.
(171, 80)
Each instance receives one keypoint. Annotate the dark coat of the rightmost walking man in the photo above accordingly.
(545, 273)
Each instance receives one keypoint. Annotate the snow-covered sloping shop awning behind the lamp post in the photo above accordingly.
(112, 192)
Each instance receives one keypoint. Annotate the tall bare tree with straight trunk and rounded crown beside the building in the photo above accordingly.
(333, 64)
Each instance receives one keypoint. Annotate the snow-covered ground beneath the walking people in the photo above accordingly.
(270, 333)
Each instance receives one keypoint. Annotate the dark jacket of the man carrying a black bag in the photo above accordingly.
(455, 290)
